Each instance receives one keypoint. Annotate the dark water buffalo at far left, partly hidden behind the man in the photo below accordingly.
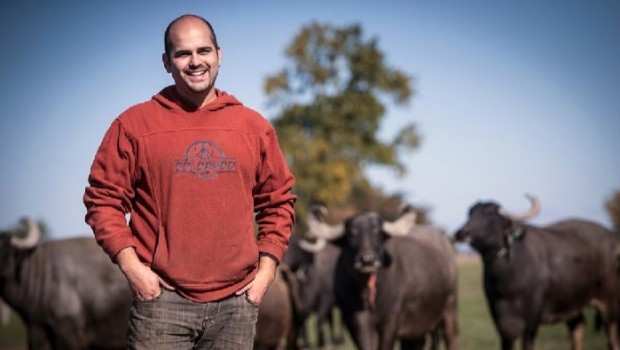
(67, 292)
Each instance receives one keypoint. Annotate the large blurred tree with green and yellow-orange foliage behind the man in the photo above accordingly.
(330, 98)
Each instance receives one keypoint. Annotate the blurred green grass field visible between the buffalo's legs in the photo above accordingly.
(476, 328)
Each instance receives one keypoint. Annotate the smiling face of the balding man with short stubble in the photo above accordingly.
(193, 60)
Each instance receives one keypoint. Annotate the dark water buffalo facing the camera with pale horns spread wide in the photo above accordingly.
(391, 284)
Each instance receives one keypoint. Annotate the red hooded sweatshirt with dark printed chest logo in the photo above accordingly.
(194, 182)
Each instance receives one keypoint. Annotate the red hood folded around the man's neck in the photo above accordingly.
(170, 99)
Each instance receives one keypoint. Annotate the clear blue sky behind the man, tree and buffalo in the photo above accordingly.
(512, 96)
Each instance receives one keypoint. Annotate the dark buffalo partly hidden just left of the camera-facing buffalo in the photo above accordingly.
(314, 264)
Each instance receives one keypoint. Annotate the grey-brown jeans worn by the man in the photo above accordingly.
(173, 322)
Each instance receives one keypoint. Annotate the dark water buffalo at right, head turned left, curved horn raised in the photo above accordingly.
(536, 275)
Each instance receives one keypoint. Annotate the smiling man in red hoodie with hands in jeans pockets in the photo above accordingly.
(195, 170)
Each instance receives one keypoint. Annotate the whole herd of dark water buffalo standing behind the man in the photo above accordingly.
(382, 282)
